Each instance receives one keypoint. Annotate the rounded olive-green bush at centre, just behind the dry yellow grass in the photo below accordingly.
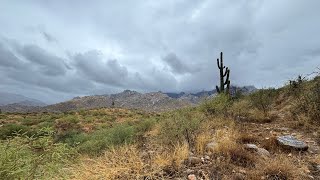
(179, 127)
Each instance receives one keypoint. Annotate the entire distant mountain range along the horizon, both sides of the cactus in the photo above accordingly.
(154, 101)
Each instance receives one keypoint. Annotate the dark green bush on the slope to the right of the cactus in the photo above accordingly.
(263, 99)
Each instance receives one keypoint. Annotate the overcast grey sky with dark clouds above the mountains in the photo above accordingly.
(55, 50)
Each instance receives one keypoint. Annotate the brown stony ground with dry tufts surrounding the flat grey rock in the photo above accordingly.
(273, 144)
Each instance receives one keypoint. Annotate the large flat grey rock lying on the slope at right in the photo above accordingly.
(292, 143)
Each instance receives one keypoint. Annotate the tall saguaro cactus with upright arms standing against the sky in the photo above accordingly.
(223, 74)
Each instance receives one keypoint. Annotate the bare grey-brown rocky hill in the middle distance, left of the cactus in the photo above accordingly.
(155, 101)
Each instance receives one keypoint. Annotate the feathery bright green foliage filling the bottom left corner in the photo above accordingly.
(33, 158)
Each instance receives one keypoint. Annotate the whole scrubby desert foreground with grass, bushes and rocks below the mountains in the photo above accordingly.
(269, 134)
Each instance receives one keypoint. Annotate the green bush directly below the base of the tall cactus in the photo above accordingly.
(217, 105)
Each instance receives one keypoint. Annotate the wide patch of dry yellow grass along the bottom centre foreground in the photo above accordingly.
(127, 162)
